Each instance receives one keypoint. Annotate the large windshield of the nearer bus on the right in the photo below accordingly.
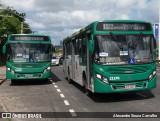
(124, 49)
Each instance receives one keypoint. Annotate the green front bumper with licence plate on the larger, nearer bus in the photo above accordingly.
(101, 87)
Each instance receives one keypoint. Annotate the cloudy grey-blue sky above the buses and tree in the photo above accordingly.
(60, 18)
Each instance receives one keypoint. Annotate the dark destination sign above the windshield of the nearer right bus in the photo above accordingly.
(107, 26)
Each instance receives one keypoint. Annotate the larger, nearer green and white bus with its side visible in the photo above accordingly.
(112, 56)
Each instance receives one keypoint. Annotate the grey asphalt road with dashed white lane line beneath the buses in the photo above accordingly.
(68, 100)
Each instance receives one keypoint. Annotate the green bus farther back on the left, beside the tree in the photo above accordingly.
(28, 57)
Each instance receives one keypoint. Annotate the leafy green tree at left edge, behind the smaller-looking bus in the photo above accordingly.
(10, 23)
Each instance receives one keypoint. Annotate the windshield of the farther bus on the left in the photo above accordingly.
(20, 52)
